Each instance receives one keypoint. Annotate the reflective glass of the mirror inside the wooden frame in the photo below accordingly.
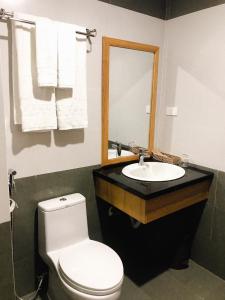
(130, 83)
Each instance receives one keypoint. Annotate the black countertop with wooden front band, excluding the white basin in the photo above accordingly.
(149, 201)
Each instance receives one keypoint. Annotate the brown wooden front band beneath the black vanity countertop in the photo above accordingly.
(146, 211)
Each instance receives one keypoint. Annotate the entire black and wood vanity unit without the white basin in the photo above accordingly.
(167, 215)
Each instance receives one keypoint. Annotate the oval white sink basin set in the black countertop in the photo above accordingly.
(153, 171)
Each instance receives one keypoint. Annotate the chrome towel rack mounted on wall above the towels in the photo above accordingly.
(5, 16)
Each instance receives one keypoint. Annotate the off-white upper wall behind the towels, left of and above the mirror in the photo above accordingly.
(32, 154)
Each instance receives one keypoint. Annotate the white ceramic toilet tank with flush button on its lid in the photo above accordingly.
(62, 222)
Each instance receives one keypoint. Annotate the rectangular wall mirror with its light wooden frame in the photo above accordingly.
(128, 99)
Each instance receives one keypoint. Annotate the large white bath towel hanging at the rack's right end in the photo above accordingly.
(71, 104)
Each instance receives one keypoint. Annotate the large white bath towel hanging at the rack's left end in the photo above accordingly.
(34, 107)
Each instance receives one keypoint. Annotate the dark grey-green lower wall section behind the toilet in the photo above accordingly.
(31, 190)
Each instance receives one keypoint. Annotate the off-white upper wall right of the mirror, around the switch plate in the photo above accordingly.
(195, 82)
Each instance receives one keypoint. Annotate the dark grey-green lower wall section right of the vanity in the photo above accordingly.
(209, 243)
